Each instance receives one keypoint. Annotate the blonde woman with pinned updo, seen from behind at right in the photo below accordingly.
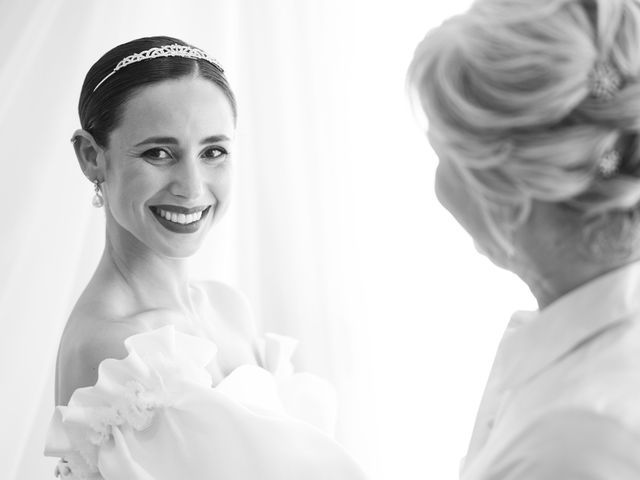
(533, 108)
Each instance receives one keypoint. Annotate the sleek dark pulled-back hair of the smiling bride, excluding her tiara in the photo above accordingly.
(100, 111)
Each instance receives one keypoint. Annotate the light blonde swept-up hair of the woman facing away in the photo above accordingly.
(505, 89)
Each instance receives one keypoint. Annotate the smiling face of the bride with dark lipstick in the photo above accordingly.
(168, 166)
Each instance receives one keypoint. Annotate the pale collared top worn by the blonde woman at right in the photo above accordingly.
(562, 397)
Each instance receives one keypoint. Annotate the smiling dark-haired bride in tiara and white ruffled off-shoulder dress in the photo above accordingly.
(159, 378)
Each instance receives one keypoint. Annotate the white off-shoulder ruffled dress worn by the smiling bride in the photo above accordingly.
(156, 415)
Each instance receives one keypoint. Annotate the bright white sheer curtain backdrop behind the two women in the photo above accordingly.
(334, 233)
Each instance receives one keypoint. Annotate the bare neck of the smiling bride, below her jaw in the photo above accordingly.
(152, 280)
